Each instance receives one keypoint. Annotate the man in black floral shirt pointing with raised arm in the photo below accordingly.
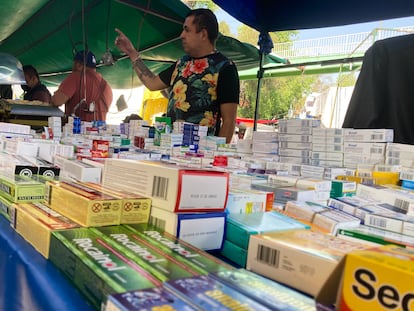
(204, 83)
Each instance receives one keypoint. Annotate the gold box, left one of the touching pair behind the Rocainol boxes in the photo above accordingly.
(86, 206)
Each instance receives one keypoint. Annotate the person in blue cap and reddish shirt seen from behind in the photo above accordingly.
(84, 92)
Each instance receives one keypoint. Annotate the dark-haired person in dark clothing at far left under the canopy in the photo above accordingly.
(34, 89)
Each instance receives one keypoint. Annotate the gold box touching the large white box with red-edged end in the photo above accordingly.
(135, 208)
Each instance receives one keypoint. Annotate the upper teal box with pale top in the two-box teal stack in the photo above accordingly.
(239, 227)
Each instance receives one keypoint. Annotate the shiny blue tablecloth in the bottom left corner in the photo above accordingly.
(29, 282)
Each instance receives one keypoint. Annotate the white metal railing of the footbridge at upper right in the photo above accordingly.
(345, 45)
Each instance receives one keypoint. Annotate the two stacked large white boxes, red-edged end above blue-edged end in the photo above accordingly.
(187, 203)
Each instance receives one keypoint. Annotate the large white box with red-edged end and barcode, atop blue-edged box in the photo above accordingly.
(170, 187)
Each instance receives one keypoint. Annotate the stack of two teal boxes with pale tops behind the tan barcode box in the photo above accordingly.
(241, 226)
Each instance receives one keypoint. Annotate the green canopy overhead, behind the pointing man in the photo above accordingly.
(46, 34)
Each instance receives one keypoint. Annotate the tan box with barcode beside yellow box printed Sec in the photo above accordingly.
(301, 259)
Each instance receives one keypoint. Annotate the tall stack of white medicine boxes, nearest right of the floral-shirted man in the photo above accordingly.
(295, 140)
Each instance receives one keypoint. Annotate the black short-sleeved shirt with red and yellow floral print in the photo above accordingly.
(196, 94)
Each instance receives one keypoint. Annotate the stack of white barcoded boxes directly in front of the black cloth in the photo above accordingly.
(365, 146)
